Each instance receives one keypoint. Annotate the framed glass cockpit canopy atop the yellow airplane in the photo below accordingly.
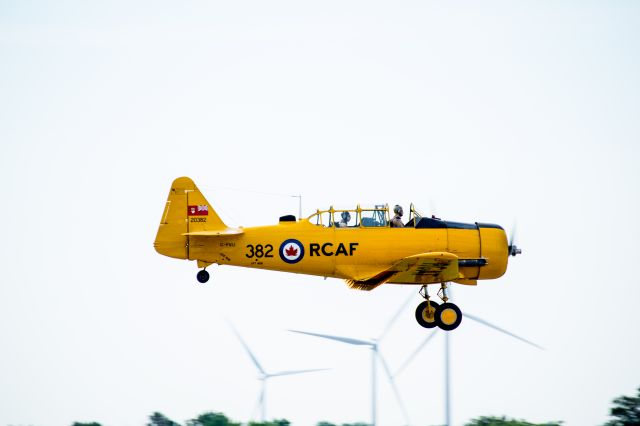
(376, 217)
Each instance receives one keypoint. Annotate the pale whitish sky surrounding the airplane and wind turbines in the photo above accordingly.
(495, 111)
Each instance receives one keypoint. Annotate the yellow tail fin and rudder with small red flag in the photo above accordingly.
(186, 213)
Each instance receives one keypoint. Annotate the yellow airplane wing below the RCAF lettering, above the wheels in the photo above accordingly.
(424, 268)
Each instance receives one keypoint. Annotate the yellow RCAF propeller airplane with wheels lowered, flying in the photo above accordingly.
(358, 245)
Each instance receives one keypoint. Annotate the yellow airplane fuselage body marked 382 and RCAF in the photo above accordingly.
(356, 253)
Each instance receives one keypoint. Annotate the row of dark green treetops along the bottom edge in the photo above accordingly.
(625, 412)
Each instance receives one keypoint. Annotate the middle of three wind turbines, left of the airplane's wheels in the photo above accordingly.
(373, 344)
